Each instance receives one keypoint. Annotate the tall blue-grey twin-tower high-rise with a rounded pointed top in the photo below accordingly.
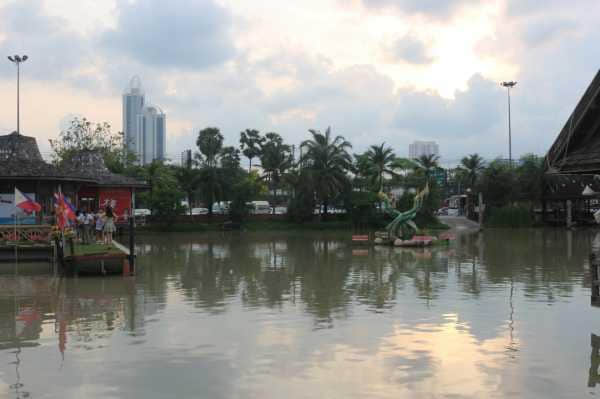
(144, 126)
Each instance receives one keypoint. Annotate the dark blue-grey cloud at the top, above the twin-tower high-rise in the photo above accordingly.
(175, 33)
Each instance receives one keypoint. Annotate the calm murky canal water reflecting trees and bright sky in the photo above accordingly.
(503, 313)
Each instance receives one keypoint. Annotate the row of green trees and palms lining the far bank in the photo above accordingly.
(322, 173)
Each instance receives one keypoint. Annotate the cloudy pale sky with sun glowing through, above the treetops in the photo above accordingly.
(376, 71)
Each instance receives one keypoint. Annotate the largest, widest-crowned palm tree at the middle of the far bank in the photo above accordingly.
(328, 161)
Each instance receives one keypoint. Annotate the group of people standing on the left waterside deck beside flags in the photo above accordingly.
(96, 227)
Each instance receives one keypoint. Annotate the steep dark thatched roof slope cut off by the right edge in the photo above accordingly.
(577, 147)
